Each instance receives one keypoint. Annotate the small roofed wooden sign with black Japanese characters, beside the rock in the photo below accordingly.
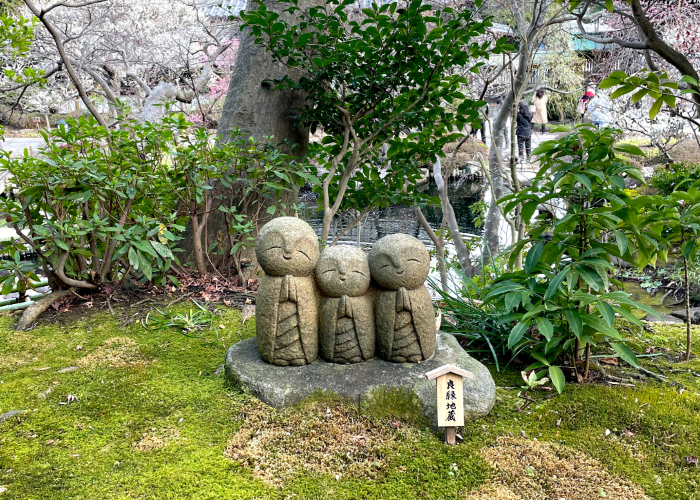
(450, 401)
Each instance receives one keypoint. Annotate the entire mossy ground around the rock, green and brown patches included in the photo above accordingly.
(152, 420)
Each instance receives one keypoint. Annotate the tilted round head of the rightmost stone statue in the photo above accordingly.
(399, 260)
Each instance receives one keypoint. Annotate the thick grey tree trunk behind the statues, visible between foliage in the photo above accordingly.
(256, 109)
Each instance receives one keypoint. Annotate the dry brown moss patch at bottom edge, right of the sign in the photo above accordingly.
(526, 469)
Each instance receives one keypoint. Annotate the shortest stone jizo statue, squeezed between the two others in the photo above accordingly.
(346, 325)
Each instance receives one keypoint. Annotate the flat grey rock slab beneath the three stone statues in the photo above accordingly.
(281, 386)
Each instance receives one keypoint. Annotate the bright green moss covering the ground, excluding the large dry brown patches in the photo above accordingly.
(159, 428)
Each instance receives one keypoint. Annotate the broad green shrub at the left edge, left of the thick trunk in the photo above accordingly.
(94, 204)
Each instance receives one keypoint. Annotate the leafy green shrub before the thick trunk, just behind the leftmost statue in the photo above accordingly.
(245, 179)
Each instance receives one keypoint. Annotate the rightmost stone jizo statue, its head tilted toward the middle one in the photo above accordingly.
(404, 315)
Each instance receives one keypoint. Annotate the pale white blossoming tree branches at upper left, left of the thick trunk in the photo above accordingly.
(143, 53)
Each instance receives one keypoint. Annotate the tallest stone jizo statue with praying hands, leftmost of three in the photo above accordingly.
(288, 299)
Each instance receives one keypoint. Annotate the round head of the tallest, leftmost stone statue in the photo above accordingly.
(287, 245)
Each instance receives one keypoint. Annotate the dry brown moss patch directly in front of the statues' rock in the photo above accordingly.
(317, 438)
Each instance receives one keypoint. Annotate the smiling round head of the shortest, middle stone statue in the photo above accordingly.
(343, 270)
